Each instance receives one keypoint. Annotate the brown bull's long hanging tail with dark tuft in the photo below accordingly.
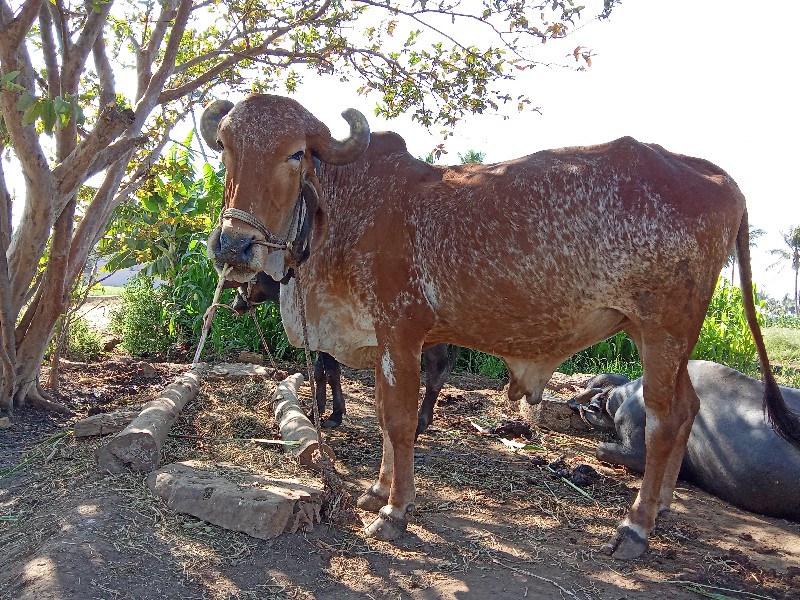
(784, 421)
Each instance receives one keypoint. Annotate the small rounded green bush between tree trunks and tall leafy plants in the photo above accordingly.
(140, 318)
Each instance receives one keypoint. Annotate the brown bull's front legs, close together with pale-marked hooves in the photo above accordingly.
(396, 391)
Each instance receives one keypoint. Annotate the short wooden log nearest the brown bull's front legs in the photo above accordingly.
(295, 426)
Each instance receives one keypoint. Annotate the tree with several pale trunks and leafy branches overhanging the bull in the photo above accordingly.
(93, 89)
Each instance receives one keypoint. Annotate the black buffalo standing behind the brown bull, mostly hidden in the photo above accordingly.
(438, 360)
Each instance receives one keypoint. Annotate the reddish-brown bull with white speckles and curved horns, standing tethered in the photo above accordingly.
(503, 258)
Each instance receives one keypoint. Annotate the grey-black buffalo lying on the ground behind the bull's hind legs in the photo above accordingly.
(733, 452)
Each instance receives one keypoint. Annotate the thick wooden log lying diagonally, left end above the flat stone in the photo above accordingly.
(138, 446)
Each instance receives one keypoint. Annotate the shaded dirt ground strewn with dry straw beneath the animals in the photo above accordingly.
(491, 521)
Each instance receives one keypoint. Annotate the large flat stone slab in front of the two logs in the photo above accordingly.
(237, 500)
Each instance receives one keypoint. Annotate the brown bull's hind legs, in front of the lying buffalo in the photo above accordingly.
(664, 361)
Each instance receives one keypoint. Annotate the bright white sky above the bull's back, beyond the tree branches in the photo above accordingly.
(714, 78)
